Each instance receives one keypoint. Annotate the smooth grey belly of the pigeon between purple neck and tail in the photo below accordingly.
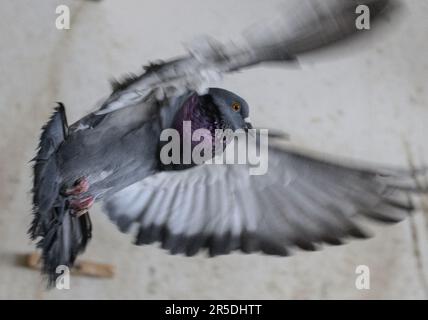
(106, 153)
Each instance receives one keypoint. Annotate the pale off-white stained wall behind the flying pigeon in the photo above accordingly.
(371, 103)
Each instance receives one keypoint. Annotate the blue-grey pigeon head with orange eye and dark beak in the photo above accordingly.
(231, 108)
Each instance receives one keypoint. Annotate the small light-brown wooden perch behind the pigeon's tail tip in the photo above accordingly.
(81, 268)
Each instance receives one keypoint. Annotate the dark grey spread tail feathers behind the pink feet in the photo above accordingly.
(61, 235)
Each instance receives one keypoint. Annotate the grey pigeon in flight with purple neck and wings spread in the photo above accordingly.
(112, 155)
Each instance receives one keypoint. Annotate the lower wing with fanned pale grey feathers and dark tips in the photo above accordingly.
(299, 202)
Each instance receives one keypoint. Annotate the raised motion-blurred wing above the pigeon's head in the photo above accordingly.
(311, 26)
